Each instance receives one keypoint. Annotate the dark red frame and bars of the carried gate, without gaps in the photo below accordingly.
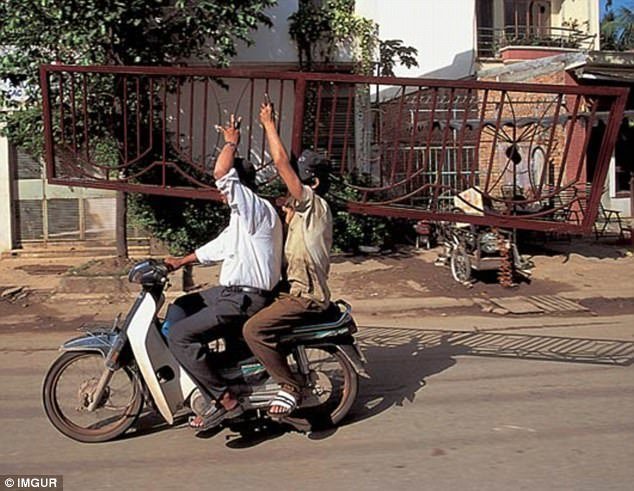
(613, 99)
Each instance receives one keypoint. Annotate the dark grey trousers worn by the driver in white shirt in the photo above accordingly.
(188, 337)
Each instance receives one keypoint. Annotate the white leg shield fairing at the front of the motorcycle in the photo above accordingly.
(168, 383)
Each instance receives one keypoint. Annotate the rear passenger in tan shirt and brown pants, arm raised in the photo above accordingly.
(307, 254)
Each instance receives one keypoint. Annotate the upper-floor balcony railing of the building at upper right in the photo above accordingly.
(492, 40)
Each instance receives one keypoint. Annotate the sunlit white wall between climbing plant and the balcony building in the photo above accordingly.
(443, 31)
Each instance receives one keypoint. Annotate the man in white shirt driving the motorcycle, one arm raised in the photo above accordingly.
(250, 249)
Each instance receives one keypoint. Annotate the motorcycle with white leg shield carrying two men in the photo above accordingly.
(96, 389)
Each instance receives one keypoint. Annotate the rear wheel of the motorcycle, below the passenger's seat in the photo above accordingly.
(332, 386)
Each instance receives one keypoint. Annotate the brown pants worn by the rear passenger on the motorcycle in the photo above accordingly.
(261, 332)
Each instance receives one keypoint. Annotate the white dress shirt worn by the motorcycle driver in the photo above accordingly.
(250, 248)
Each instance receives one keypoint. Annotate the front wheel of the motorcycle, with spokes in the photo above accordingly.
(68, 390)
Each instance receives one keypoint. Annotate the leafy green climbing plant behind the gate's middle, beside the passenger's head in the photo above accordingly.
(318, 31)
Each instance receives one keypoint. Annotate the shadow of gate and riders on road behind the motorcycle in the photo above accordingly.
(399, 360)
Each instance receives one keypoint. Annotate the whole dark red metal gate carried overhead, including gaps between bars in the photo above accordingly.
(403, 147)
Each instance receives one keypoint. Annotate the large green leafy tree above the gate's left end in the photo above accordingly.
(122, 32)
